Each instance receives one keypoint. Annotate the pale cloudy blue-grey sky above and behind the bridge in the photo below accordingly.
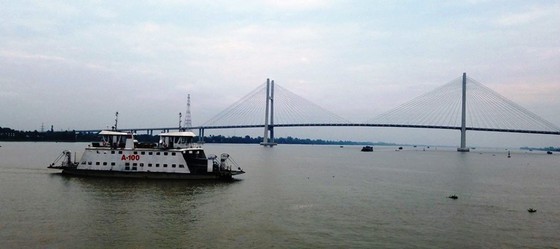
(73, 64)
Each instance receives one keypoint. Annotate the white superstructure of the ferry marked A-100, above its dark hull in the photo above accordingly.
(175, 153)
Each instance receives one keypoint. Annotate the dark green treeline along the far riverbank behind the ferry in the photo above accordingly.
(7, 134)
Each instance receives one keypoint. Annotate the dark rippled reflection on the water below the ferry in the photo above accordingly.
(145, 212)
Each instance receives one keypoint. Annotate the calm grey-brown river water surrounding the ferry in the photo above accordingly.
(292, 196)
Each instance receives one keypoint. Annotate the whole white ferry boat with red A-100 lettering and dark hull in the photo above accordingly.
(175, 156)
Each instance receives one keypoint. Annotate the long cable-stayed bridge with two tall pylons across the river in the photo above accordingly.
(462, 104)
